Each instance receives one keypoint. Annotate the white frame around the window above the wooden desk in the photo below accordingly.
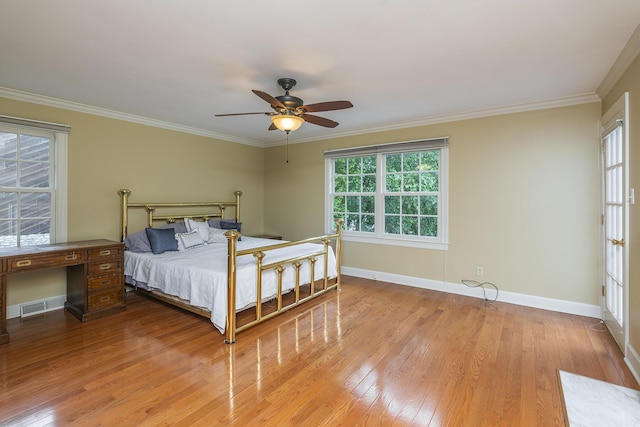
(59, 162)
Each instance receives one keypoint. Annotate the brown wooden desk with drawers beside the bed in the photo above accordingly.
(95, 282)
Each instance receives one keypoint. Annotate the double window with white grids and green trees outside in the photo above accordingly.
(390, 194)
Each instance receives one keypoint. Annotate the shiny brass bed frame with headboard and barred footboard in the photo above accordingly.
(219, 211)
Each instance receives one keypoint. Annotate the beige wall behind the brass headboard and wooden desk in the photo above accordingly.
(106, 155)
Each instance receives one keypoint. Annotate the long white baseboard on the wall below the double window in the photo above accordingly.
(562, 306)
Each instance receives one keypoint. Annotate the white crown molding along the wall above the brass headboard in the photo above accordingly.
(112, 114)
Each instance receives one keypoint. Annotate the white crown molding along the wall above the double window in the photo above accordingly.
(509, 109)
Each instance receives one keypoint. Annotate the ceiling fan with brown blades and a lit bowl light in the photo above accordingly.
(290, 112)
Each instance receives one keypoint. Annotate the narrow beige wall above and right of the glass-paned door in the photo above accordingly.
(630, 82)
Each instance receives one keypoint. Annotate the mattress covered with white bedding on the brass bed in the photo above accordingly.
(199, 275)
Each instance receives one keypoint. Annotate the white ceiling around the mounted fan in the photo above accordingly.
(400, 62)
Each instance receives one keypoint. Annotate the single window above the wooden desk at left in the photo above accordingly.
(32, 185)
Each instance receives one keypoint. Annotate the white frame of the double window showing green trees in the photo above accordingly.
(441, 242)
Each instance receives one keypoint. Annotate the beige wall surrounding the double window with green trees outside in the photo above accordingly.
(524, 202)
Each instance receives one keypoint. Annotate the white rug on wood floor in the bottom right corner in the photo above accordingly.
(589, 402)
